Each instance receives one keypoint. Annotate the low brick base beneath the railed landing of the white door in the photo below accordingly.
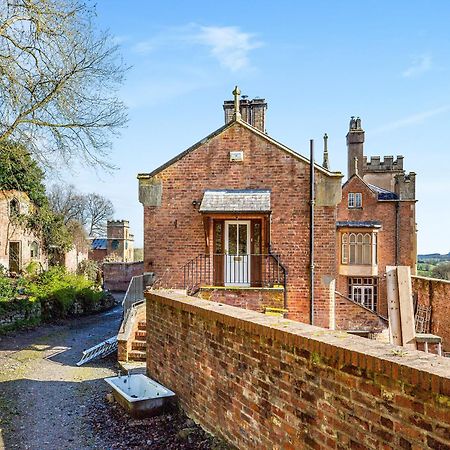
(256, 299)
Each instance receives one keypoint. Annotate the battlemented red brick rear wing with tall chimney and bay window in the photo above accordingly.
(376, 224)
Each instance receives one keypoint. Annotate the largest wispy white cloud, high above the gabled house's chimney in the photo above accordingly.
(229, 45)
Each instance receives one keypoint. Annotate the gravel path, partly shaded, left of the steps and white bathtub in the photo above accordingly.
(47, 402)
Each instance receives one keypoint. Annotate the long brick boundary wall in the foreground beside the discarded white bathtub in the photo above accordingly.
(265, 382)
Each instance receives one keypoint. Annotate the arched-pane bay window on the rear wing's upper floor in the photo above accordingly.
(358, 248)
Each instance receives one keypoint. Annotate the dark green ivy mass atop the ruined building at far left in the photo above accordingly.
(19, 171)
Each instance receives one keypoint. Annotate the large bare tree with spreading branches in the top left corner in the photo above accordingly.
(58, 81)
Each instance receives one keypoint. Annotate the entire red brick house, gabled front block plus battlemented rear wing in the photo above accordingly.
(228, 219)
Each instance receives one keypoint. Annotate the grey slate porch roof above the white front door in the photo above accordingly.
(236, 200)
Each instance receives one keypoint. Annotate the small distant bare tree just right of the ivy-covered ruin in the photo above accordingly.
(68, 202)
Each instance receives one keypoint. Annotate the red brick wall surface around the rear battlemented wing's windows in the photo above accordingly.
(391, 232)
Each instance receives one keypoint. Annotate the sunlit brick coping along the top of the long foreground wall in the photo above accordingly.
(429, 371)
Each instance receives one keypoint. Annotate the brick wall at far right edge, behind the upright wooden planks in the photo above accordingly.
(434, 292)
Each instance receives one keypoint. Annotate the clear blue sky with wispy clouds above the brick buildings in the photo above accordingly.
(316, 63)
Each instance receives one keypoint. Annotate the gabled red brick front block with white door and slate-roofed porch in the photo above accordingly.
(228, 219)
